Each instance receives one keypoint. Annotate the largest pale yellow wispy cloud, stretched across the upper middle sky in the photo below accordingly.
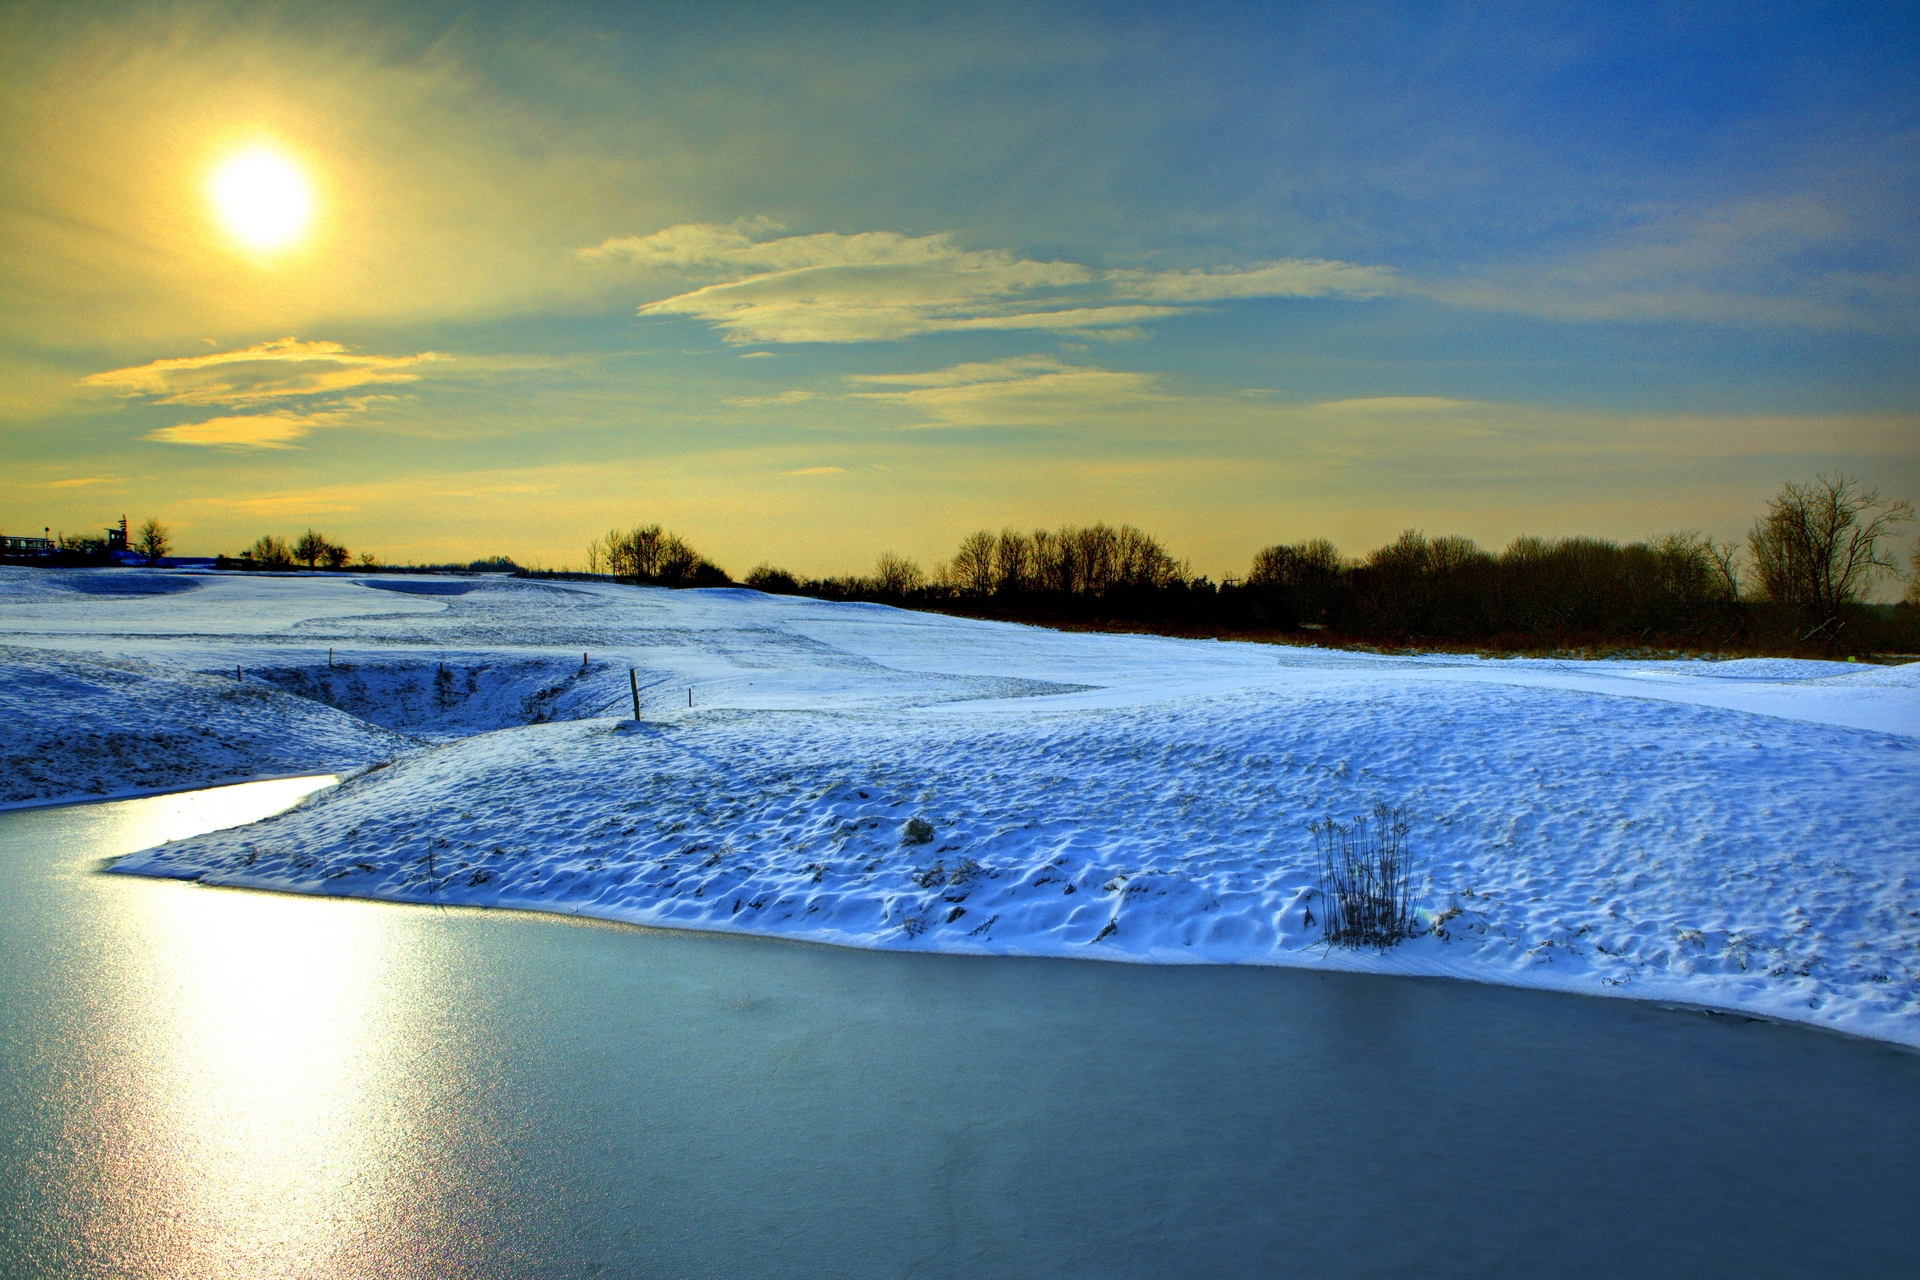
(878, 287)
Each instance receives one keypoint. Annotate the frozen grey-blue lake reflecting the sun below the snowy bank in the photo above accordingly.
(224, 1083)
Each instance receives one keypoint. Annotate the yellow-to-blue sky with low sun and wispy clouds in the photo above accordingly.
(813, 283)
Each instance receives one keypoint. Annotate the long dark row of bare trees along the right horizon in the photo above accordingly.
(1798, 582)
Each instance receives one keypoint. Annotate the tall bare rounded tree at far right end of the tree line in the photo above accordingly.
(1817, 550)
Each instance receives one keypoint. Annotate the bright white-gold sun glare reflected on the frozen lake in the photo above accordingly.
(276, 1091)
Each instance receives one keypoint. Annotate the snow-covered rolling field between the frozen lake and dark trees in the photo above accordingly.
(1735, 836)
